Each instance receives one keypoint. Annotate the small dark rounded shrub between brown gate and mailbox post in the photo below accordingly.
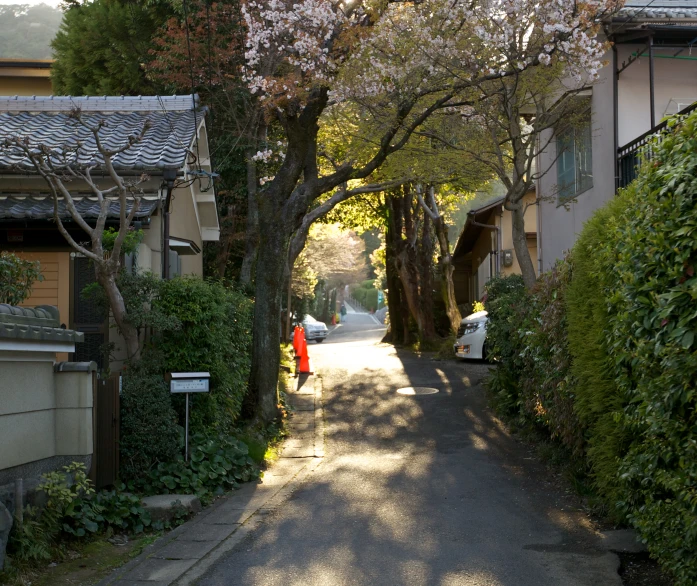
(149, 433)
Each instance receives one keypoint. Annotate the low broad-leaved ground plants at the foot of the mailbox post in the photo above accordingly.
(217, 464)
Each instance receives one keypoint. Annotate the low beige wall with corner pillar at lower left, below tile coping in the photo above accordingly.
(44, 414)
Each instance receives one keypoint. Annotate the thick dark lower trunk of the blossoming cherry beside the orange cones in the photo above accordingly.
(266, 350)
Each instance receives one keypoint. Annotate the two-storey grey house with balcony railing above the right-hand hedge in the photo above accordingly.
(651, 73)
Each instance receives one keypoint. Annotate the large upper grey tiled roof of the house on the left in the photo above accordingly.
(46, 121)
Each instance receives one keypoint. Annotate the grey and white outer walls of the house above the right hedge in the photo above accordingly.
(559, 225)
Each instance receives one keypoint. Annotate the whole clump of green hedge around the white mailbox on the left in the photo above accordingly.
(194, 326)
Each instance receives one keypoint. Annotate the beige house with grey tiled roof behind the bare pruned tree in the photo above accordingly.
(176, 198)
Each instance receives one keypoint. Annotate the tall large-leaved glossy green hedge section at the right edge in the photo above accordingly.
(651, 337)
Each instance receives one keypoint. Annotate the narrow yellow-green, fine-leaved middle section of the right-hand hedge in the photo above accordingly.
(599, 402)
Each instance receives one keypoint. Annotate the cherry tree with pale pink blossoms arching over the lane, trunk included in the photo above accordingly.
(394, 65)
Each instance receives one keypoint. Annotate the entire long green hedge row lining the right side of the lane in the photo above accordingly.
(600, 354)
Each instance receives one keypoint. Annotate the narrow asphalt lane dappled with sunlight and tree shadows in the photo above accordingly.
(415, 490)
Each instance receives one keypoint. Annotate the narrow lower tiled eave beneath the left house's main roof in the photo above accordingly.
(40, 207)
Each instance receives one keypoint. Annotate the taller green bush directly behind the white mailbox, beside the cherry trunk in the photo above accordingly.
(214, 336)
